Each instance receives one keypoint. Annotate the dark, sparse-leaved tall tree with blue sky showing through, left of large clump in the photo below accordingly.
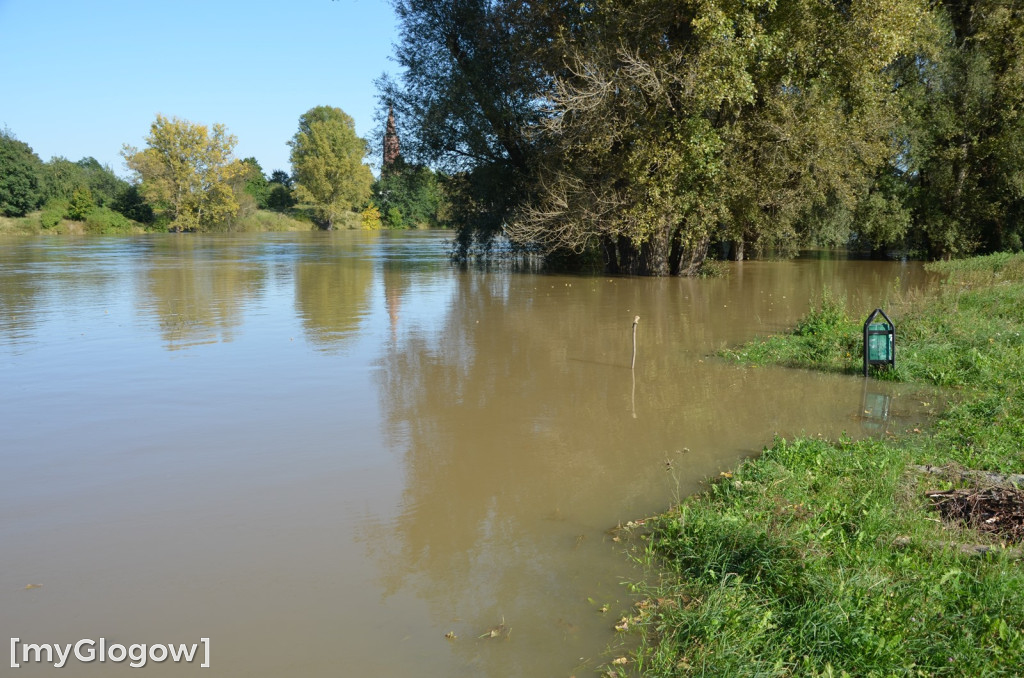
(476, 78)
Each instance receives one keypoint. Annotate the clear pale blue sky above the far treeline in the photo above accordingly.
(82, 78)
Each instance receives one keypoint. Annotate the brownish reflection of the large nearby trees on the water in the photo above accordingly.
(521, 409)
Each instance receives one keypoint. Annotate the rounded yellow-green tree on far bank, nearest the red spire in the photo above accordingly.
(327, 162)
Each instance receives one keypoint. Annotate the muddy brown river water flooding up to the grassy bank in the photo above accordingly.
(326, 452)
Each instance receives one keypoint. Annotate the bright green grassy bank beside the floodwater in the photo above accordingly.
(827, 559)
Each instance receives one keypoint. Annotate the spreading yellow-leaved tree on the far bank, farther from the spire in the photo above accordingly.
(187, 172)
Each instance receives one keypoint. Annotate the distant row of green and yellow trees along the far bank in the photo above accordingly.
(187, 180)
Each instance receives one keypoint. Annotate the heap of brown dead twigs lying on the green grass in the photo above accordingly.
(998, 512)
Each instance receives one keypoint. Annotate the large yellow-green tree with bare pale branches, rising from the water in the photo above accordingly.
(684, 122)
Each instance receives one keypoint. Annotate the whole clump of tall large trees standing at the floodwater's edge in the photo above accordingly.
(644, 135)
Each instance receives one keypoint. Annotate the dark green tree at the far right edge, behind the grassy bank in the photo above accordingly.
(964, 98)
